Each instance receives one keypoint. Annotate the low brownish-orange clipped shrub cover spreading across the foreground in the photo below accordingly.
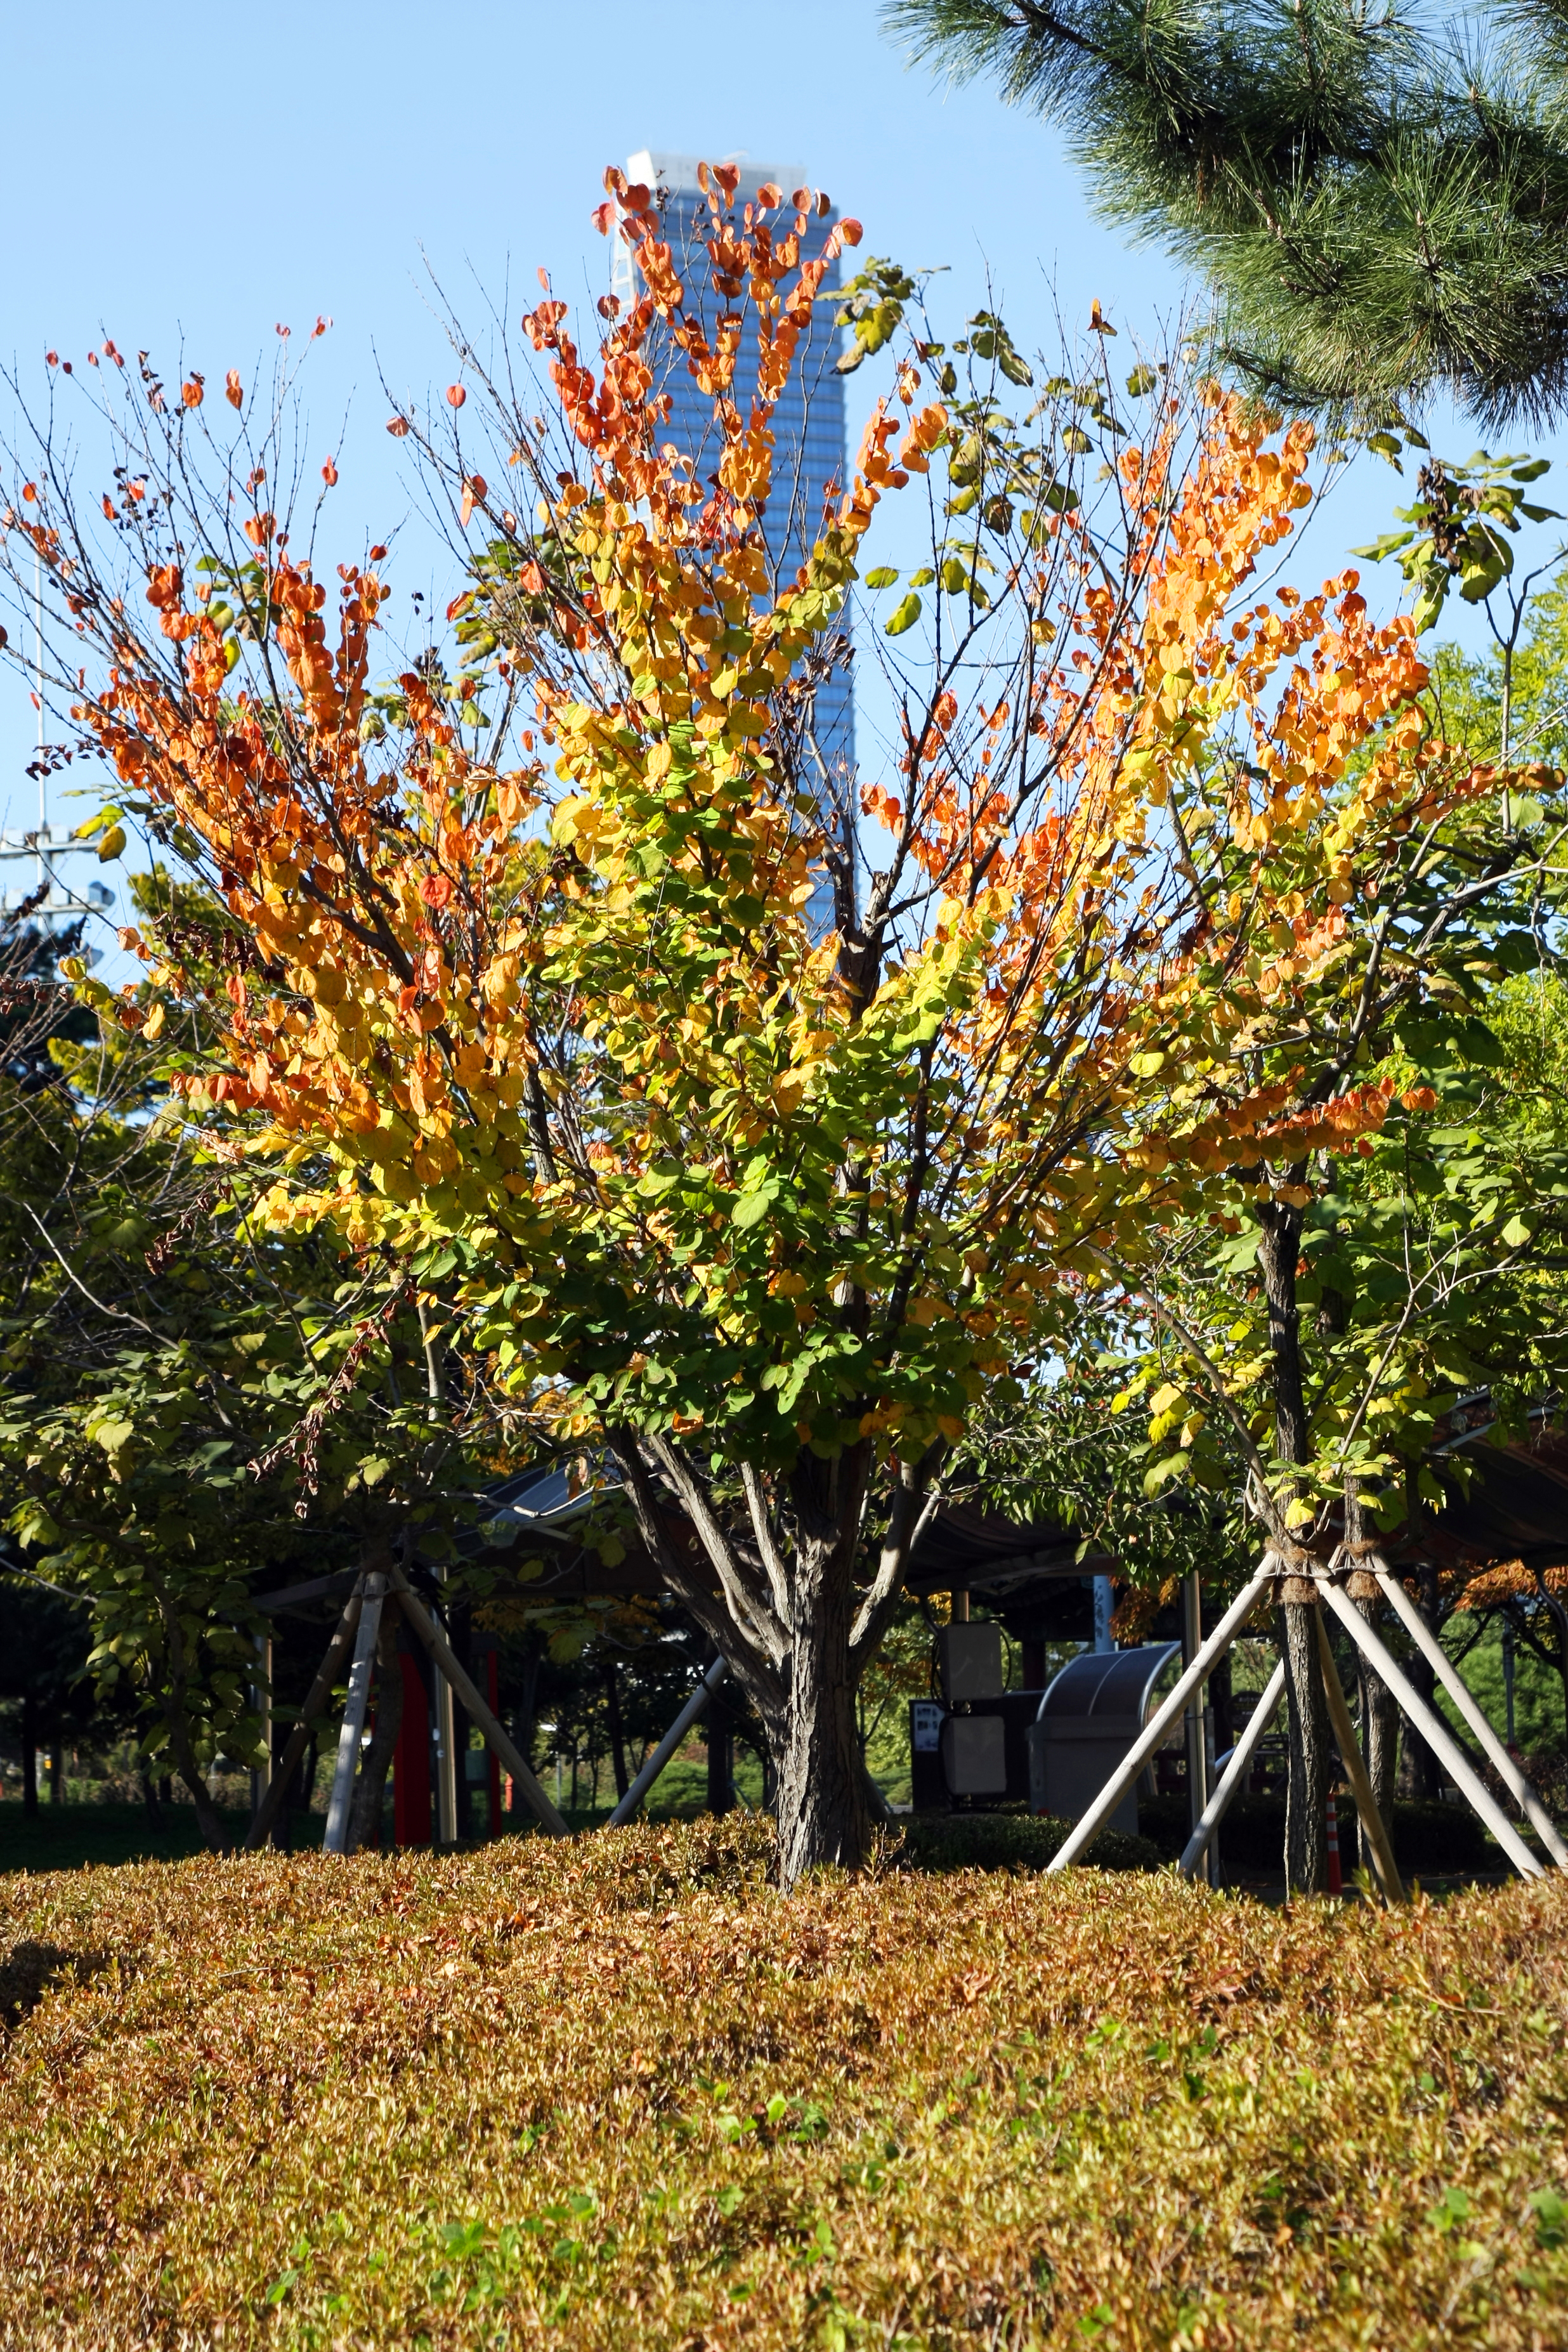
(622, 2094)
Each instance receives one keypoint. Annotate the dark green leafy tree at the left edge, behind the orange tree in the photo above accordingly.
(194, 1403)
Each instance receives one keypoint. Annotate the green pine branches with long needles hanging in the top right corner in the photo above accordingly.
(1379, 199)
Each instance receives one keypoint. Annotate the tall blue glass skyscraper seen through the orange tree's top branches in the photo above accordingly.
(808, 417)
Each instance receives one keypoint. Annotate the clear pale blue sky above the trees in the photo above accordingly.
(189, 180)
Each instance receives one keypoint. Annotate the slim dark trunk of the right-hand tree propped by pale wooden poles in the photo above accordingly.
(1296, 1626)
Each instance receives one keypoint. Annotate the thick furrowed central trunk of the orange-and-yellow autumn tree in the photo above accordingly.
(822, 1789)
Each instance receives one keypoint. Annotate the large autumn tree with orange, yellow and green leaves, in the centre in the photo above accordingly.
(756, 1203)
